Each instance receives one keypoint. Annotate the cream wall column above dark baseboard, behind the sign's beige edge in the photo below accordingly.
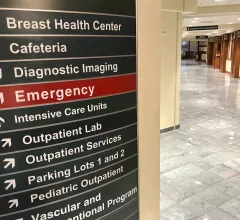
(170, 68)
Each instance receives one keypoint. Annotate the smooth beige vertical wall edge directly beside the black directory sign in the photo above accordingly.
(149, 57)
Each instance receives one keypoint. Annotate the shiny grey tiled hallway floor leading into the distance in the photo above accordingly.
(200, 163)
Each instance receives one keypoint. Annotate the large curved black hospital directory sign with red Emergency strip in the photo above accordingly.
(68, 110)
